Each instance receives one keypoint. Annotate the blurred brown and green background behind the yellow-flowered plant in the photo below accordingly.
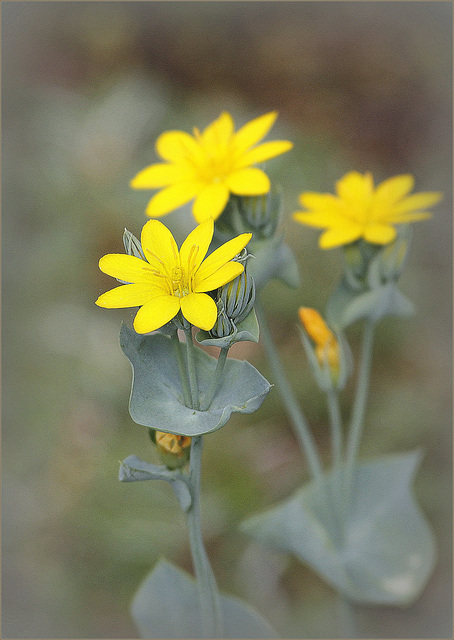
(87, 88)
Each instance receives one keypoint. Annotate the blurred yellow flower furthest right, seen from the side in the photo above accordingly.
(360, 210)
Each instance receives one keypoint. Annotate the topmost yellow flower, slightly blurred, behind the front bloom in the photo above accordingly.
(209, 166)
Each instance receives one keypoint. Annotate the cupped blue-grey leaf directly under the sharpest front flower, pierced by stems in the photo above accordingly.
(157, 397)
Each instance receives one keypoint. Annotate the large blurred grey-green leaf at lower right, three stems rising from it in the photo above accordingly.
(387, 551)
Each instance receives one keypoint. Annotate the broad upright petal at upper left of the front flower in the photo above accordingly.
(159, 247)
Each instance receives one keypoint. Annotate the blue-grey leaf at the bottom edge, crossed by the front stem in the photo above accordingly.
(167, 606)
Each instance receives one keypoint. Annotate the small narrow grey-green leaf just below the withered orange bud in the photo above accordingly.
(133, 469)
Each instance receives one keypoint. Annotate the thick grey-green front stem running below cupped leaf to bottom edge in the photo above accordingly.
(210, 605)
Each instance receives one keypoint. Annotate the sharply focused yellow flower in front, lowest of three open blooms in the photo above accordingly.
(170, 279)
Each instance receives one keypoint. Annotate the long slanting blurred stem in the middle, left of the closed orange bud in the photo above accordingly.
(287, 396)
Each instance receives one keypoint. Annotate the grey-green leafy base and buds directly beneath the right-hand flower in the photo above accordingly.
(368, 288)
